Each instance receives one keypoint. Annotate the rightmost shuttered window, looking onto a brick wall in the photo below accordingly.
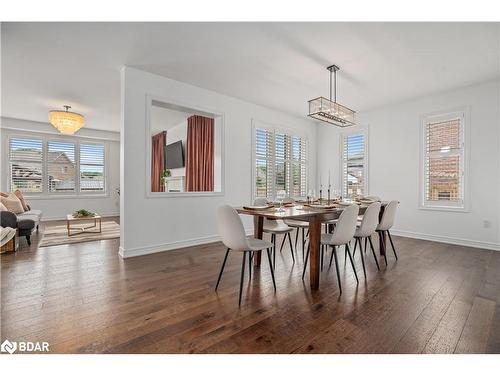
(443, 161)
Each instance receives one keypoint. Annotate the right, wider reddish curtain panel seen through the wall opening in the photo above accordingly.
(200, 154)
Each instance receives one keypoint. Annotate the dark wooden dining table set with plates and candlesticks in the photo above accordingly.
(315, 216)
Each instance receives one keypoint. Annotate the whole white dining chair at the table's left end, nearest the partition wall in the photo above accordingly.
(234, 238)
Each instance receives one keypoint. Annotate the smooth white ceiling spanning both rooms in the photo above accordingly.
(279, 65)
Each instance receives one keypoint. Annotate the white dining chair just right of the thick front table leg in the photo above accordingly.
(342, 234)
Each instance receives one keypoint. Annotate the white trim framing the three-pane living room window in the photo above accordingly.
(45, 138)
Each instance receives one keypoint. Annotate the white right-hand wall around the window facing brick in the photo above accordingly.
(394, 151)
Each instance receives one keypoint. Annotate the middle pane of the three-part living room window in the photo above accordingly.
(61, 166)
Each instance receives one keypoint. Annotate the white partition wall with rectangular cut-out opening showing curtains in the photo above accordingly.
(150, 224)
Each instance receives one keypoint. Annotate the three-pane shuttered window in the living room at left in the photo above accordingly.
(56, 166)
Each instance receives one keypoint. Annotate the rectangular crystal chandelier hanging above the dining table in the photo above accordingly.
(330, 111)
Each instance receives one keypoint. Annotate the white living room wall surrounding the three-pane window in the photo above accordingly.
(58, 207)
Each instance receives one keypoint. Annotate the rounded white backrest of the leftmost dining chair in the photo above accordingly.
(231, 228)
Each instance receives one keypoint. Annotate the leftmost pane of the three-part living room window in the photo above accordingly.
(26, 164)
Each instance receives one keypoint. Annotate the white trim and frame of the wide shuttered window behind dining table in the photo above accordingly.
(258, 124)
